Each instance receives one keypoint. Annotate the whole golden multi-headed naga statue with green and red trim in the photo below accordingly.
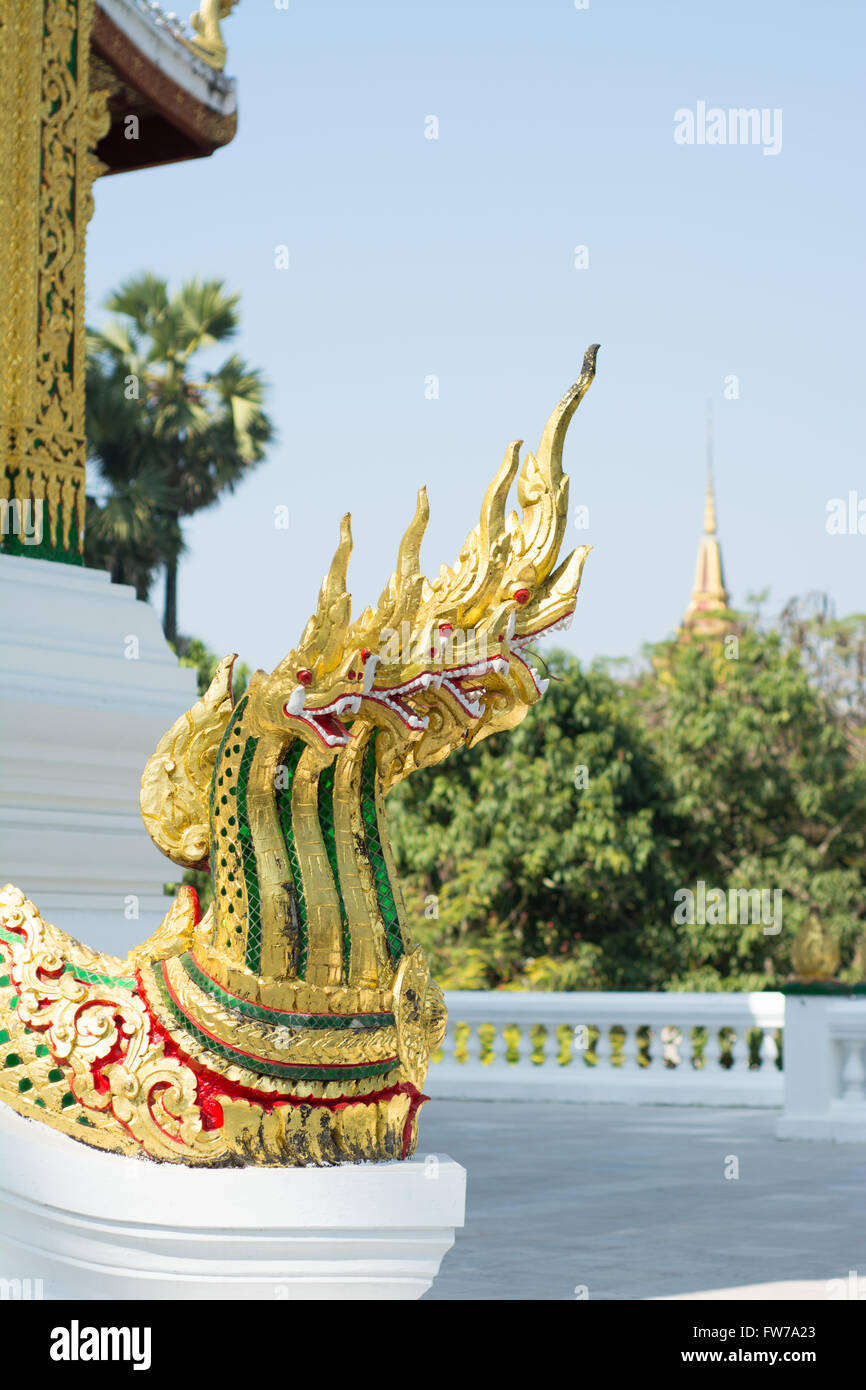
(295, 1021)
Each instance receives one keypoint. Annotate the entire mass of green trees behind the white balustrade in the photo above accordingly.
(739, 771)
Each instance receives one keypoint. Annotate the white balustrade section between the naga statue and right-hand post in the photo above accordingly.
(604, 1058)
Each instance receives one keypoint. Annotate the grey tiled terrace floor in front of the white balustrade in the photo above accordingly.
(633, 1203)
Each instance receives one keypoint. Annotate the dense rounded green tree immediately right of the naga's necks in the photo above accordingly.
(539, 881)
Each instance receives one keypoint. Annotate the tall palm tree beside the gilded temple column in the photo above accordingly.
(169, 439)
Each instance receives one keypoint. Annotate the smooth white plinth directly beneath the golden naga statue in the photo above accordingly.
(94, 1225)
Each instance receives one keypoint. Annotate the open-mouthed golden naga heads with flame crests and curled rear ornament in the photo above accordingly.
(434, 667)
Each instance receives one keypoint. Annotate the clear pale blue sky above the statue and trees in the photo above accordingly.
(455, 258)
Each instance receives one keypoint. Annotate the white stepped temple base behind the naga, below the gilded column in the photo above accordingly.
(88, 687)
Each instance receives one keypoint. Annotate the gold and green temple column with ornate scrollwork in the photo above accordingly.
(47, 154)
